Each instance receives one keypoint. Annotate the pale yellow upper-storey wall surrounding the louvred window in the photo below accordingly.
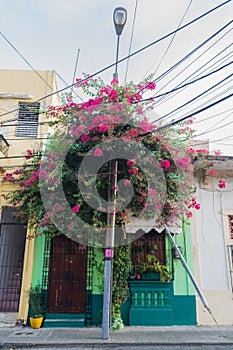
(17, 83)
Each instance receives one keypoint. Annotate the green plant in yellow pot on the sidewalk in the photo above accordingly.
(34, 295)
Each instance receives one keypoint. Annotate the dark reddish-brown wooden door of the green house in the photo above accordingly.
(67, 277)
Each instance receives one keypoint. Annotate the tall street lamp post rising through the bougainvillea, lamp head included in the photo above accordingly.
(119, 19)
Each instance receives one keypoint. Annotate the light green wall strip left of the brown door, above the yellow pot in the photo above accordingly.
(38, 260)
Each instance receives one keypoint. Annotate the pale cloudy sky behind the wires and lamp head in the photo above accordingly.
(50, 33)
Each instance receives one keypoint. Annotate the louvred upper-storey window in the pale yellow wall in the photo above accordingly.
(28, 120)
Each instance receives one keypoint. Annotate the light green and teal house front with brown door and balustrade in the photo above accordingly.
(73, 296)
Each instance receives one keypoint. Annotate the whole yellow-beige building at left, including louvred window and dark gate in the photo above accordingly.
(25, 96)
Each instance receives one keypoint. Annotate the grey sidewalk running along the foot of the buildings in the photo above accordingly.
(60, 338)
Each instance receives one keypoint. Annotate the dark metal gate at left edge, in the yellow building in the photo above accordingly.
(12, 243)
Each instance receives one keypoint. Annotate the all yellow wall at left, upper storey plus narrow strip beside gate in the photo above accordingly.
(14, 86)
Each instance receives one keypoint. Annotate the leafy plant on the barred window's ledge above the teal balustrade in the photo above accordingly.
(152, 269)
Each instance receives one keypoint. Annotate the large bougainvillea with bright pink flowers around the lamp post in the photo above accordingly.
(67, 189)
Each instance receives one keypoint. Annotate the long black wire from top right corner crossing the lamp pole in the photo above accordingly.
(134, 53)
